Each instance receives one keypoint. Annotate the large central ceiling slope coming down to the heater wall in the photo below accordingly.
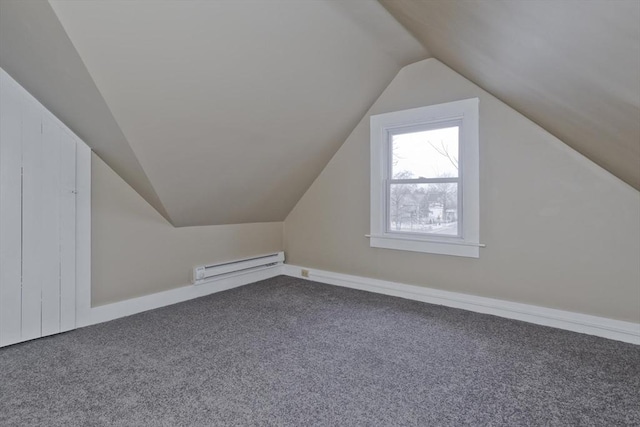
(232, 108)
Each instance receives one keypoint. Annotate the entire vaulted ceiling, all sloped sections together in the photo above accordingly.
(225, 111)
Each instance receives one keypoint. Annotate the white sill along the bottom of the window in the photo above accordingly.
(455, 247)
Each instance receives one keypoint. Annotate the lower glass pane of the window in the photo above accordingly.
(424, 208)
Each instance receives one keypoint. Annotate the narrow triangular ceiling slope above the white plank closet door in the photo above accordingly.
(35, 50)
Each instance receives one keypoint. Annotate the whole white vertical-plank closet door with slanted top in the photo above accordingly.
(38, 218)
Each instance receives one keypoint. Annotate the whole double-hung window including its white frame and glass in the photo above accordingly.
(424, 179)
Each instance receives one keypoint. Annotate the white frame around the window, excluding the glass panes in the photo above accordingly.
(462, 113)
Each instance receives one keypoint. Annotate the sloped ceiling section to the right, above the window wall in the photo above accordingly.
(572, 66)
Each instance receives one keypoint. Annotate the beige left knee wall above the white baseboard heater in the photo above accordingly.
(136, 252)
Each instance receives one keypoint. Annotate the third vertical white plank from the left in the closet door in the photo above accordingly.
(51, 190)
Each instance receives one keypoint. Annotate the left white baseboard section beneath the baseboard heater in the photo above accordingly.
(128, 307)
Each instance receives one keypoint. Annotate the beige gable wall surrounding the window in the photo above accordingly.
(560, 231)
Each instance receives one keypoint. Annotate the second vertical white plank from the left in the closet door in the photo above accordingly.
(32, 209)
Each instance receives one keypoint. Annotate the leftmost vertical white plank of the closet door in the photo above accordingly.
(10, 213)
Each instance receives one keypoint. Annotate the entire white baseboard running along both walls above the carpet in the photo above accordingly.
(576, 322)
